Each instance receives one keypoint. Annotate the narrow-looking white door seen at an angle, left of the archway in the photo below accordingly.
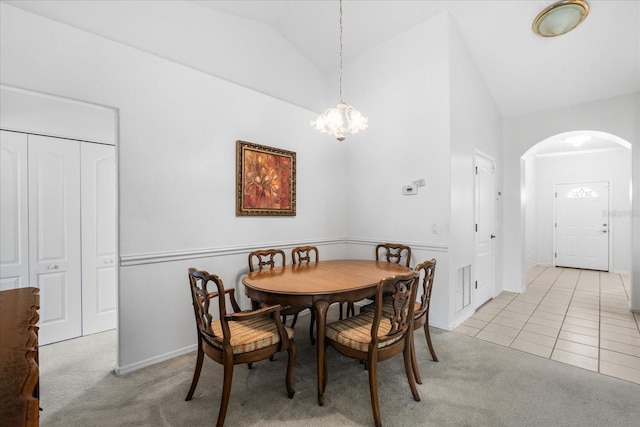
(485, 230)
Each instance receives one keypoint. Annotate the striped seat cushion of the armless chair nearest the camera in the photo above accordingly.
(355, 331)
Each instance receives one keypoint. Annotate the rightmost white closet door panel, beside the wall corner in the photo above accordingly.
(99, 279)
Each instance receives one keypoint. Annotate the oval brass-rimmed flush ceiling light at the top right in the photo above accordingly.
(560, 18)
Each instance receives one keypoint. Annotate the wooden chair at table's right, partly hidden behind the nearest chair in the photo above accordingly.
(426, 271)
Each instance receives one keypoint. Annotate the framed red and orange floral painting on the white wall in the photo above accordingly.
(265, 180)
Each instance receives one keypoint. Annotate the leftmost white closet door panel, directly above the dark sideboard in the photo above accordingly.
(14, 224)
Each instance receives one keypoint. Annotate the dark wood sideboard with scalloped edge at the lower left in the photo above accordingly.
(19, 375)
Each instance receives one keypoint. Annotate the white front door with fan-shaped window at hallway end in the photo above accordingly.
(582, 225)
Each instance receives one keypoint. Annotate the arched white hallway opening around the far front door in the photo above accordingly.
(577, 157)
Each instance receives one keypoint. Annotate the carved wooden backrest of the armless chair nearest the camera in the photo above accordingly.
(401, 291)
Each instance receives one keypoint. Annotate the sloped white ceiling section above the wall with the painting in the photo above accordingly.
(213, 42)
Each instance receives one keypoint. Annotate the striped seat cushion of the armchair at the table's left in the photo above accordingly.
(250, 335)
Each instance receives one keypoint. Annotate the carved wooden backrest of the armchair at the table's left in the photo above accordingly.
(203, 298)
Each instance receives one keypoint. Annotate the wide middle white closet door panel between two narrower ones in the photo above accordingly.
(54, 235)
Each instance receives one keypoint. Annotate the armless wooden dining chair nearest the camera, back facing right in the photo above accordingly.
(373, 337)
